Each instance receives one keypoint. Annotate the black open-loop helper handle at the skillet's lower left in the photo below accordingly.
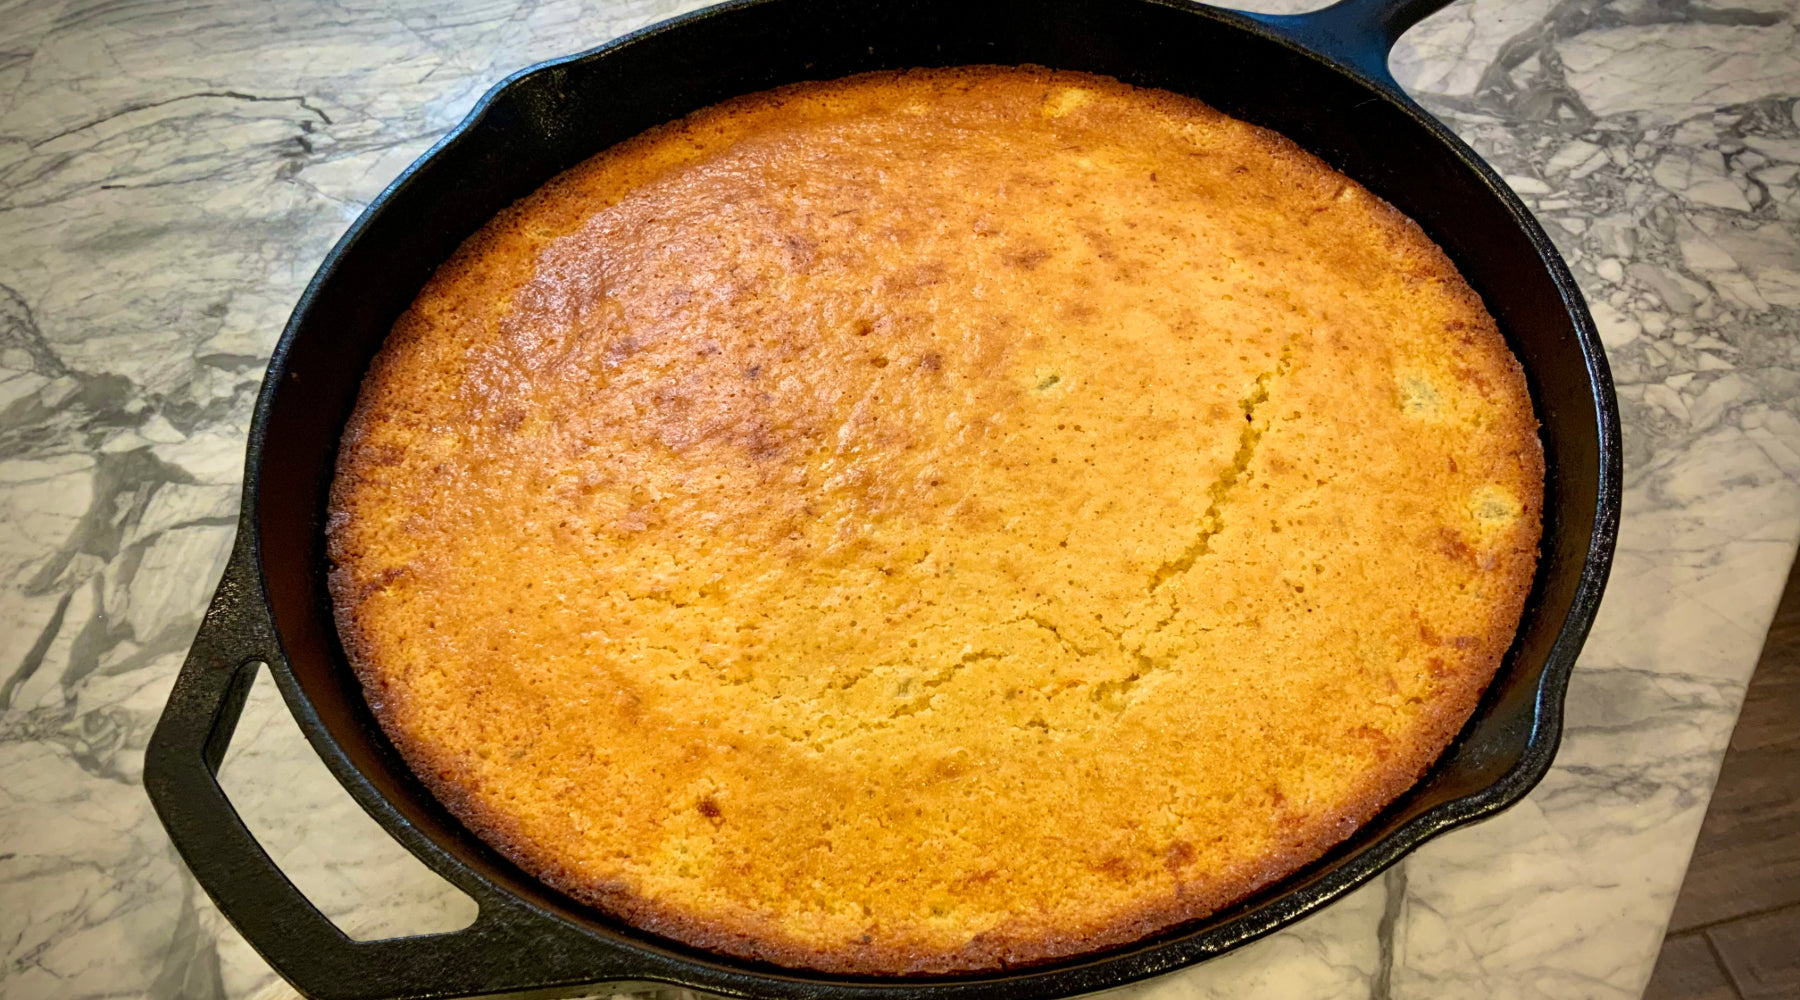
(507, 949)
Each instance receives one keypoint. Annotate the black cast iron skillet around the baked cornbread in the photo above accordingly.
(1318, 78)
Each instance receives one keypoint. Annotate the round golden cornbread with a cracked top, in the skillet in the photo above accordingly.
(935, 521)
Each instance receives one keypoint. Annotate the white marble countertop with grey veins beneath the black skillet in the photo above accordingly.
(172, 174)
